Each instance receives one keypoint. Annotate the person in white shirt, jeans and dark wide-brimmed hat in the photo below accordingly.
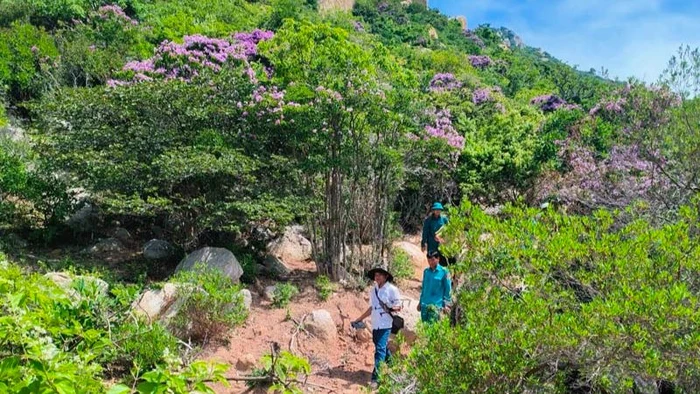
(381, 319)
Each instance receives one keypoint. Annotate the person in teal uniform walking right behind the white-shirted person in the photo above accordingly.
(435, 295)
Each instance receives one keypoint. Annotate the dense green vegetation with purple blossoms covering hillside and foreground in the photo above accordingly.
(220, 125)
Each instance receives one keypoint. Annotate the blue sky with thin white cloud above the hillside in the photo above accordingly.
(627, 37)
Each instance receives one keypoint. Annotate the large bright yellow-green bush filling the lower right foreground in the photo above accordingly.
(550, 301)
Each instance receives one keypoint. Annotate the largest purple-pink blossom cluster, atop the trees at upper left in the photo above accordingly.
(185, 61)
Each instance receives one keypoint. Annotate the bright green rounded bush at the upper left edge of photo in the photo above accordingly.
(26, 55)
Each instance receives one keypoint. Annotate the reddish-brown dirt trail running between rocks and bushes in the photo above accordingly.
(342, 366)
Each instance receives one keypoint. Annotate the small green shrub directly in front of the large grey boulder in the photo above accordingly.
(212, 306)
